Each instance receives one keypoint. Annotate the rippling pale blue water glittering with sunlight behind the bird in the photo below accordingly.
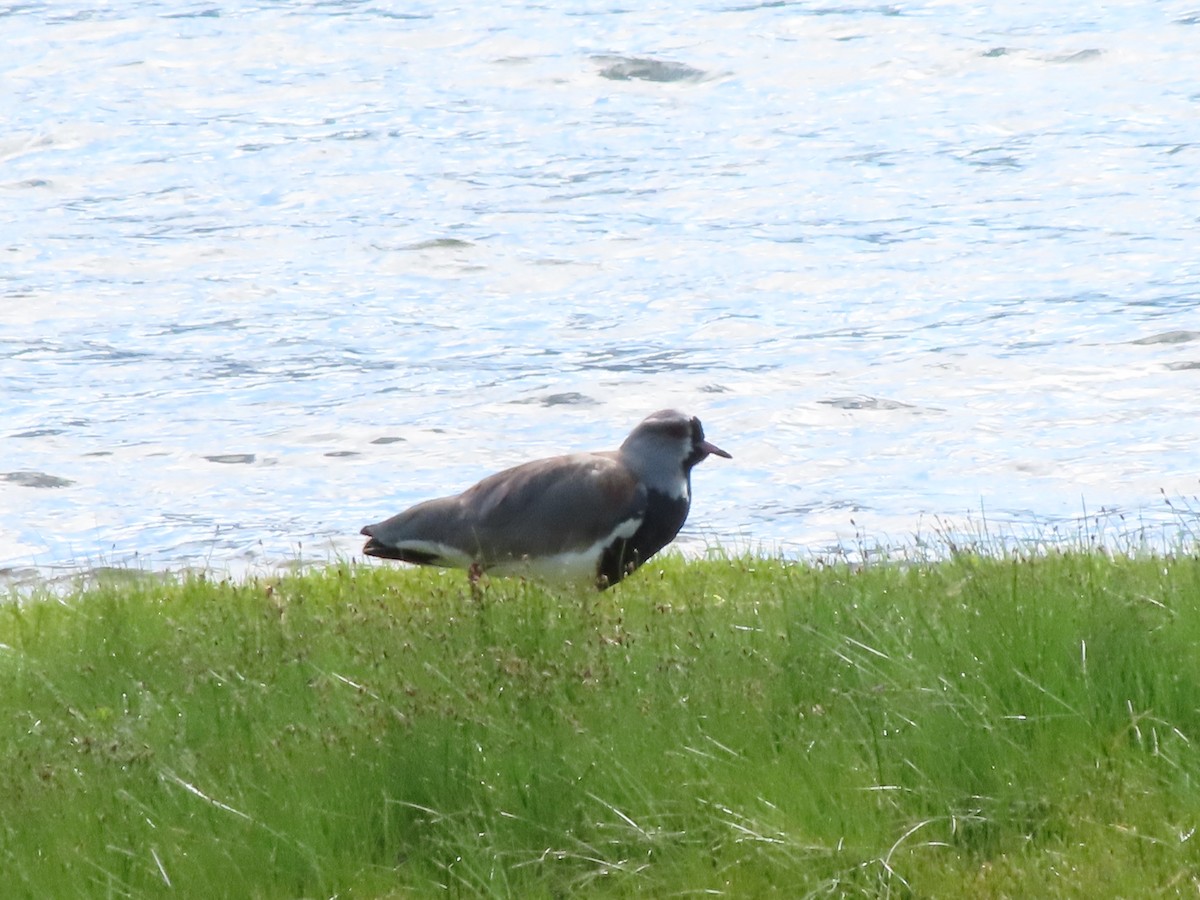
(274, 272)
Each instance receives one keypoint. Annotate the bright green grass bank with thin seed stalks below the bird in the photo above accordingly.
(749, 728)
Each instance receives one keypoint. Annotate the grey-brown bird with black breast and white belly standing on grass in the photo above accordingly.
(585, 518)
